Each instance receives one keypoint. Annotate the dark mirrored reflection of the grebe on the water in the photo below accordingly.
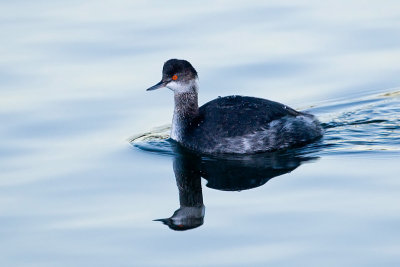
(227, 173)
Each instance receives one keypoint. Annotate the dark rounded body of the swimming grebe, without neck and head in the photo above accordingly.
(240, 124)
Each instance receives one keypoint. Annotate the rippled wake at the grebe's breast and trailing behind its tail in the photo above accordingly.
(360, 125)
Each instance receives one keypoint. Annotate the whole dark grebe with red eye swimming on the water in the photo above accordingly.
(231, 124)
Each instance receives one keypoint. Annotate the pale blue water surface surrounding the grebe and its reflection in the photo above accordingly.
(74, 192)
